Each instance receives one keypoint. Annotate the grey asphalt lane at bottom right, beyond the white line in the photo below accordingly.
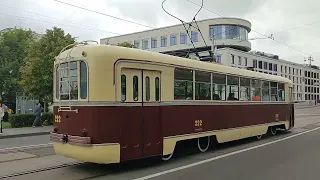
(296, 158)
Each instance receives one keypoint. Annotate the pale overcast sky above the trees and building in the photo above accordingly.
(294, 24)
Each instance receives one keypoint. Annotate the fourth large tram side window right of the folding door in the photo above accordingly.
(233, 88)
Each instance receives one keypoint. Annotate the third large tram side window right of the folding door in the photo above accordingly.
(219, 86)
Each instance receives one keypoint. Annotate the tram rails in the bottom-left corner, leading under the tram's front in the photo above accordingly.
(42, 170)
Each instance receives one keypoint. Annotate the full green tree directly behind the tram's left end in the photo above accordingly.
(37, 78)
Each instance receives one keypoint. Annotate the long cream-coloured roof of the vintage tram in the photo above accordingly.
(138, 54)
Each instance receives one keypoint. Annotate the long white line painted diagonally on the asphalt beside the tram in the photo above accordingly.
(222, 156)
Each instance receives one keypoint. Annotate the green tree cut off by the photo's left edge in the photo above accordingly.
(14, 43)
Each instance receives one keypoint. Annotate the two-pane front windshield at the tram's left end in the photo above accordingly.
(73, 81)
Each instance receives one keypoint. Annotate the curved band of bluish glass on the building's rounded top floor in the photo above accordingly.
(228, 32)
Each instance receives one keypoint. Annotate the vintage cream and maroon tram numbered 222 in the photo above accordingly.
(113, 104)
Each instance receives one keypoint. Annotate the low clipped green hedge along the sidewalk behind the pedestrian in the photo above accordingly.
(26, 120)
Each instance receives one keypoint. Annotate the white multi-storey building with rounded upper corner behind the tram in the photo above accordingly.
(232, 49)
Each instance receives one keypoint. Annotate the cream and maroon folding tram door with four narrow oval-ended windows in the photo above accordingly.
(140, 123)
